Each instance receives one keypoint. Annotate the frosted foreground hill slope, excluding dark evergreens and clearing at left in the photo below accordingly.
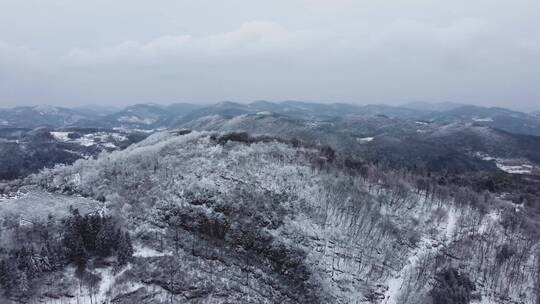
(220, 218)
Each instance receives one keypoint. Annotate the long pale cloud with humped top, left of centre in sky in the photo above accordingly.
(251, 40)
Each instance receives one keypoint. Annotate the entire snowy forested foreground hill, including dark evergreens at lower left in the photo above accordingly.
(213, 217)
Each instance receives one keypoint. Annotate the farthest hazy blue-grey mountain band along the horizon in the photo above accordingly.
(153, 116)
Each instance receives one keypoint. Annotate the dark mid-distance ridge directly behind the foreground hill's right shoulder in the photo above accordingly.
(396, 141)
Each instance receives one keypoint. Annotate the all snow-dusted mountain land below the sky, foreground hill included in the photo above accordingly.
(271, 203)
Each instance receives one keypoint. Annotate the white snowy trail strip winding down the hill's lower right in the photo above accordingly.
(424, 248)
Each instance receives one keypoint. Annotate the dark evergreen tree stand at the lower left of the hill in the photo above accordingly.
(75, 240)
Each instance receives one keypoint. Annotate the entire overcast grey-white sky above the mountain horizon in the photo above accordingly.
(72, 52)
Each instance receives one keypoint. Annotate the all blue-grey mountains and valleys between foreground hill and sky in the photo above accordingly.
(442, 137)
